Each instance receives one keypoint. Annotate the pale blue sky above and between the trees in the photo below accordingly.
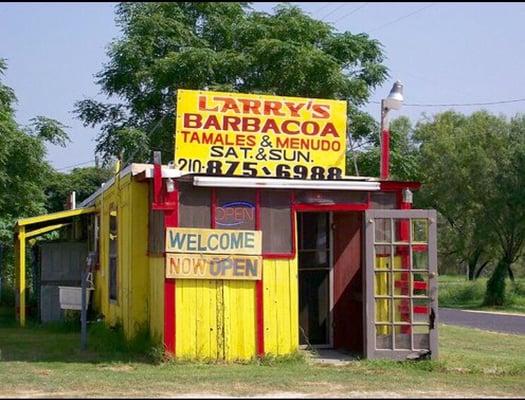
(444, 53)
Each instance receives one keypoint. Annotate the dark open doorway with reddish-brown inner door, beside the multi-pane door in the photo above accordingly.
(330, 280)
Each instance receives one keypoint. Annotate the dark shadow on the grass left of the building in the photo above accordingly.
(60, 342)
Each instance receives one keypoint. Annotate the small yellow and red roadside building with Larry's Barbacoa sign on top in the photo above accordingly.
(254, 242)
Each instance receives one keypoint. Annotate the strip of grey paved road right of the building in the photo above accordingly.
(483, 320)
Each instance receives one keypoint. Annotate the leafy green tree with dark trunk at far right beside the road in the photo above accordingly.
(471, 170)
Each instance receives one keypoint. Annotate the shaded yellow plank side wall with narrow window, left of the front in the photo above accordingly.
(132, 306)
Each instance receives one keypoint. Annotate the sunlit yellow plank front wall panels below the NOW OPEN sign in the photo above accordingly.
(217, 320)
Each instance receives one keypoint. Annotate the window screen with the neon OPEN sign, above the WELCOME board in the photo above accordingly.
(235, 209)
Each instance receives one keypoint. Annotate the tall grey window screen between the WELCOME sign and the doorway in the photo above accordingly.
(276, 222)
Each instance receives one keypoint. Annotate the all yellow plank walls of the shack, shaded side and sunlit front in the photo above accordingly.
(215, 319)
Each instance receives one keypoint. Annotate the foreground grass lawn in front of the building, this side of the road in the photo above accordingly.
(46, 361)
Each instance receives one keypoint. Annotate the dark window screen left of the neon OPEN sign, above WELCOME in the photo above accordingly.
(194, 206)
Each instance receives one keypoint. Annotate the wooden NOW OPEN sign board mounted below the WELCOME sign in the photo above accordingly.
(206, 266)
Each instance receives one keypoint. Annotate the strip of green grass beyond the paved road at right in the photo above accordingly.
(458, 292)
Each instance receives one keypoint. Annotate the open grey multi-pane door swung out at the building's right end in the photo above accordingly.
(400, 284)
